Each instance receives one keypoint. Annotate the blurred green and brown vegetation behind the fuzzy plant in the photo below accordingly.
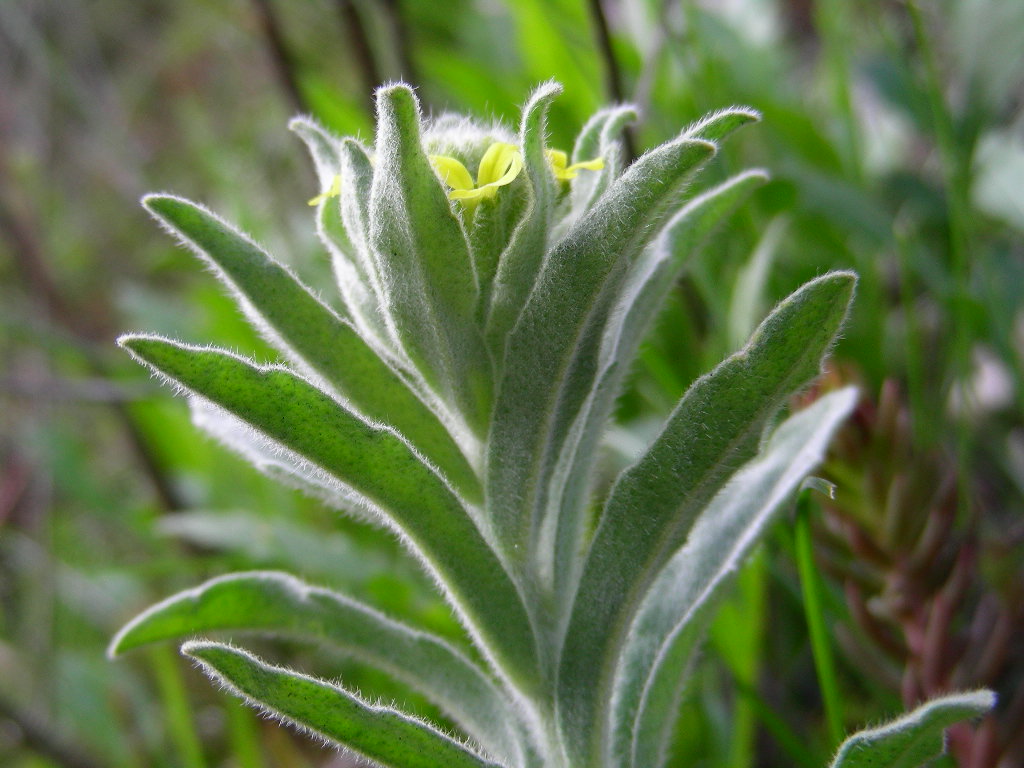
(894, 134)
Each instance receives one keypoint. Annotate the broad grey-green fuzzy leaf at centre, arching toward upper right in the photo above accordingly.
(545, 382)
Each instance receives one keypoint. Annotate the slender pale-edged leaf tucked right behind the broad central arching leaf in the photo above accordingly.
(650, 285)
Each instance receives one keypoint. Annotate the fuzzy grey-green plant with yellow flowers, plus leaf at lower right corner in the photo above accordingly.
(459, 399)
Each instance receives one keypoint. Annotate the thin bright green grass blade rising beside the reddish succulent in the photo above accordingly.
(810, 584)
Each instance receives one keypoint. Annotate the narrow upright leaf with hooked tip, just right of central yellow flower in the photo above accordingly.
(521, 263)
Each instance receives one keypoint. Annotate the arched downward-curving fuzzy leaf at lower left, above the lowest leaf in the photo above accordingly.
(281, 605)
